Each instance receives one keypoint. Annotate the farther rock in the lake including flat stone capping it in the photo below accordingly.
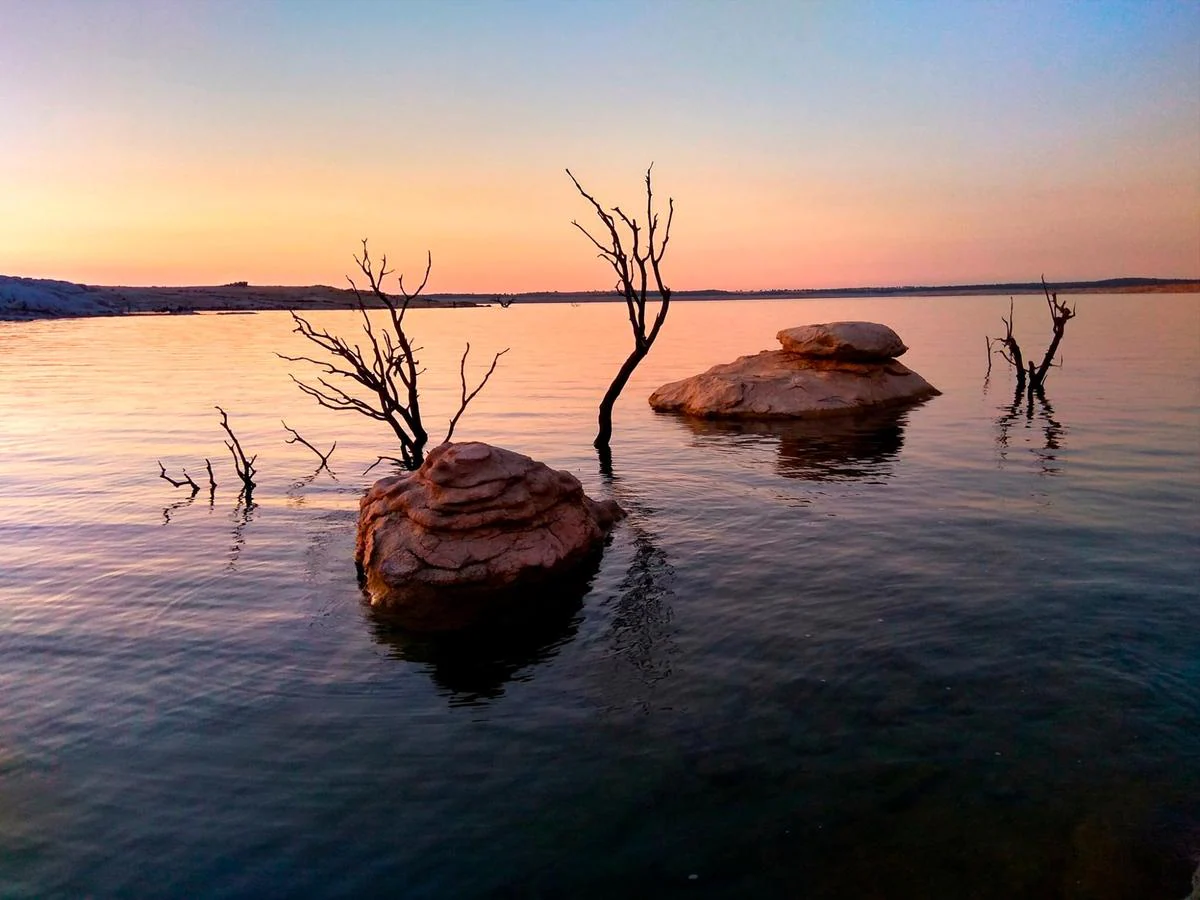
(823, 370)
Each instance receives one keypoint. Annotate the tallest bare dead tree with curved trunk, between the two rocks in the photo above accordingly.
(634, 262)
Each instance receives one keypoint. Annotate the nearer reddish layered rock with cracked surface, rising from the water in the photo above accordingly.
(470, 530)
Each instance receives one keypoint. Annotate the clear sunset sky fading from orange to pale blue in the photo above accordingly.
(806, 143)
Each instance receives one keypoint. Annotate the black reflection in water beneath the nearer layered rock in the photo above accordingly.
(476, 663)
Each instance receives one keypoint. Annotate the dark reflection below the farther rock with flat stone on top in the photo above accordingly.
(829, 449)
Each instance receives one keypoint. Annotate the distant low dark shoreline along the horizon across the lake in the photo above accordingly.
(22, 299)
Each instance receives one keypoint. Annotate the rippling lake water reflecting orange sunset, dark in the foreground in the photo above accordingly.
(949, 653)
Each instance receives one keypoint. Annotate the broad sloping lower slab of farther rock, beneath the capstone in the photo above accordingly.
(783, 385)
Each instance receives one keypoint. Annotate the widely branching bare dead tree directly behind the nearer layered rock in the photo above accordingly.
(386, 368)
